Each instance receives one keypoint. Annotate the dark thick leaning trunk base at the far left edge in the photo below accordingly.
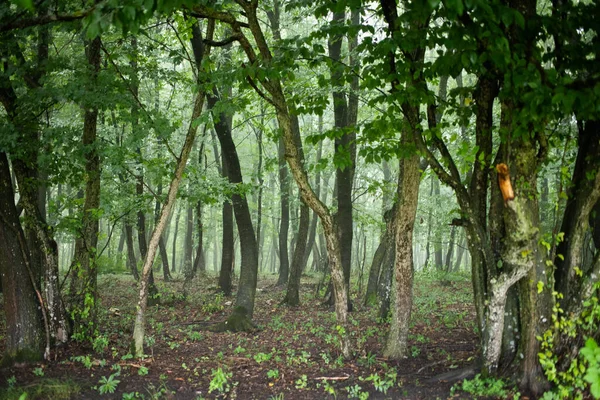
(21, 298)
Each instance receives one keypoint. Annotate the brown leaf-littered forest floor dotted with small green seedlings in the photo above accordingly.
(293, 354)
